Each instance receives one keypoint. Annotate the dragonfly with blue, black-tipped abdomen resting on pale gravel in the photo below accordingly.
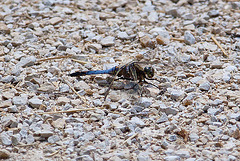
(130, 71)
